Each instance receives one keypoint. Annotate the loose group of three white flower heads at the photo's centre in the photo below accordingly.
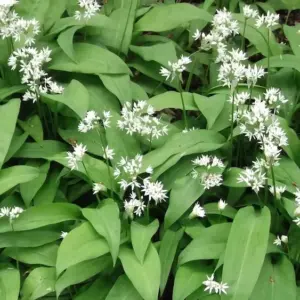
(153, 190)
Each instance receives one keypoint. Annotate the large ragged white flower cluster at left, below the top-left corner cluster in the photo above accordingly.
(31, 61)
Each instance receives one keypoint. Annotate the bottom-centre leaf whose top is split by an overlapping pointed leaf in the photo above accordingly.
(144, 277)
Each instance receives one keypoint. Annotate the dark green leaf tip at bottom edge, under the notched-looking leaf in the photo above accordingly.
(123, 290)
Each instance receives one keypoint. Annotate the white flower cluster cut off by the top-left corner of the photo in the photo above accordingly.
(12, 25)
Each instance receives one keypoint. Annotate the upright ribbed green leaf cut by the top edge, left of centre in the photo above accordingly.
(119, 36)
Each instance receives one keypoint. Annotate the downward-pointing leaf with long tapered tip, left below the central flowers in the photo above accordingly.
(106, 222)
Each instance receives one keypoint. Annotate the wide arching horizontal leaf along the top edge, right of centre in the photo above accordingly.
(167, 17)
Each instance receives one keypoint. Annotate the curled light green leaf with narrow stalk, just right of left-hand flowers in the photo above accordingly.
(75, 96)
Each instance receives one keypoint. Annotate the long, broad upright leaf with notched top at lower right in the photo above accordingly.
(245, 251)
